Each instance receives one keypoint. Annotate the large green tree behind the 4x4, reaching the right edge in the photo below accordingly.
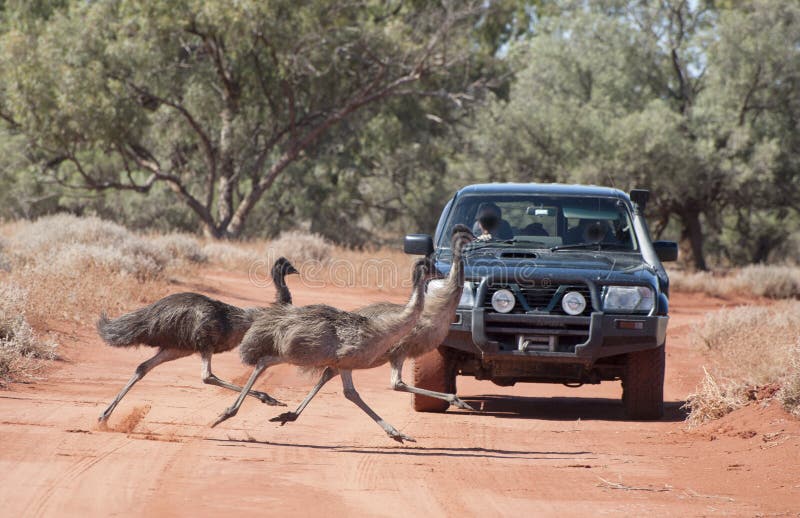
(696, 104)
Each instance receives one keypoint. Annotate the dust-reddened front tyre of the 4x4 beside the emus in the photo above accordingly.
(433, 371)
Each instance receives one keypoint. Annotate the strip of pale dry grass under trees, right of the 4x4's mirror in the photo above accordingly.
(775, 282)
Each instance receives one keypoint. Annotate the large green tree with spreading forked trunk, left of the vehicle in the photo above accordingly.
(215, 100)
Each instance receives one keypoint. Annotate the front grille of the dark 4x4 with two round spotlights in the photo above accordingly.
(539, 299)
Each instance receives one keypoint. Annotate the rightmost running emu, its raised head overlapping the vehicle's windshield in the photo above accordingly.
(427, 335)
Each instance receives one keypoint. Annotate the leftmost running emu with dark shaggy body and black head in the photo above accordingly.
(186, 323)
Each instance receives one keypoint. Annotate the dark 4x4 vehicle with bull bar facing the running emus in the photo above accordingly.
(568, 289)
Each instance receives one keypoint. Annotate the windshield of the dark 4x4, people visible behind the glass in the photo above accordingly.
(545, 222)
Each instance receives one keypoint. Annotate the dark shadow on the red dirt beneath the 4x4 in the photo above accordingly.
(562, 408)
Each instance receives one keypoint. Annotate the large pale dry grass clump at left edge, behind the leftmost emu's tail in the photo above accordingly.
(72, 268)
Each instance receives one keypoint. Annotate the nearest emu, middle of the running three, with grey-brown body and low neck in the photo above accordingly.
(320, 336)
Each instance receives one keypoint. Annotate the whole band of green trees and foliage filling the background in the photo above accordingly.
(357, 121)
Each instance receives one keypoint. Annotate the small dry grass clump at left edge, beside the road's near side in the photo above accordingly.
(21, 351)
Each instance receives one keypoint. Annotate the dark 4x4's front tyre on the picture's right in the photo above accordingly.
(643, 384)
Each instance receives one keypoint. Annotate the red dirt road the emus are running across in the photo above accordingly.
(535, 450)
